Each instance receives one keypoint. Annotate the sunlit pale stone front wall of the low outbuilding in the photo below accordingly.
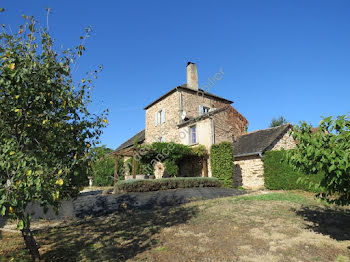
(249, 172)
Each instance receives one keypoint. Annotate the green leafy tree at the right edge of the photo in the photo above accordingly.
(327, 151)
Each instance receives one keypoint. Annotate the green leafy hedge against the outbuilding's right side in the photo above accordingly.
(279, 175)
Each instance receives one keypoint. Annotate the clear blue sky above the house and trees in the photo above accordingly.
(289, 58)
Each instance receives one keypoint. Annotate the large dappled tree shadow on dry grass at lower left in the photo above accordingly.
(117, 237)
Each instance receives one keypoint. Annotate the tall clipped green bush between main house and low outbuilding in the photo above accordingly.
(221, 160)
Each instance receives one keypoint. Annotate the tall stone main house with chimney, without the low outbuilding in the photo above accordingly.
(190, 116)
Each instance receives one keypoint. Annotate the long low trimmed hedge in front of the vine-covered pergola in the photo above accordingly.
(146, 185)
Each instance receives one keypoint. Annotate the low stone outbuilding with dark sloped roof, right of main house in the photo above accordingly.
(249, 152)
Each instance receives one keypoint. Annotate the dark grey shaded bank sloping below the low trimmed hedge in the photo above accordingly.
(94, 204)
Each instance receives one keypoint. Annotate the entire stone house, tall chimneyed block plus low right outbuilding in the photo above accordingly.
(192, 116)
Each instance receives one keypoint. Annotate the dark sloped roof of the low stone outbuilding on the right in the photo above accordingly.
(258, 141)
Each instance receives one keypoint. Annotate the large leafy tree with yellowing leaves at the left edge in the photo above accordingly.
(46, 128)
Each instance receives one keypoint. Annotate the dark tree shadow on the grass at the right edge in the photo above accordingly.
(332, 222)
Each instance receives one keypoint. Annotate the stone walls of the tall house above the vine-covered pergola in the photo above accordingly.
(211, 130)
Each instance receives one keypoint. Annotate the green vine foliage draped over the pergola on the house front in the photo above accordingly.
(169, 153)
